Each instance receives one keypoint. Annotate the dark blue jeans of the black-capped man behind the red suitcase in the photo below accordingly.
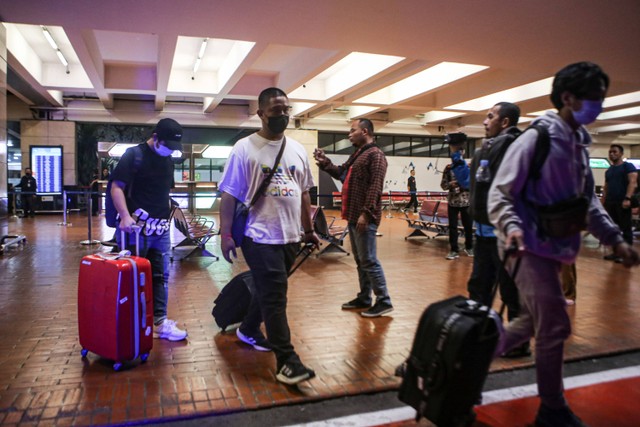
(157, 250)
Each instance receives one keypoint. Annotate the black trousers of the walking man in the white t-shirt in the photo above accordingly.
(270, 265)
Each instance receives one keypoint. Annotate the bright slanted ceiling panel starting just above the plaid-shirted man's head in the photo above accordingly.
(422, 82)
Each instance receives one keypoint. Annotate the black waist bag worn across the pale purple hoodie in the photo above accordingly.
(565, 218)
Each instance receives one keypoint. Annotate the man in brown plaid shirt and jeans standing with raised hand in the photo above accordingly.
(362, 177)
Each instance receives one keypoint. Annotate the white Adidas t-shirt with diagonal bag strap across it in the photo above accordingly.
(275, 218)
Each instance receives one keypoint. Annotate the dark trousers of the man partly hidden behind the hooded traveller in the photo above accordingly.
(486, 265)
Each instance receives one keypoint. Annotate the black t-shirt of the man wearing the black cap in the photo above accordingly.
(151, 183)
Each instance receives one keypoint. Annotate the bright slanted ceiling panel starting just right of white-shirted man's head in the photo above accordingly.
(350, 71)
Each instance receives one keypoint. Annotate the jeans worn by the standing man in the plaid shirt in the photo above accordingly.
(370, 273)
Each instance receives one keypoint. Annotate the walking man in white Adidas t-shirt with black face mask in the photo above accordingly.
(274, 228)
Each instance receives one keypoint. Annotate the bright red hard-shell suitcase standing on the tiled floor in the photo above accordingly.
(115, 307)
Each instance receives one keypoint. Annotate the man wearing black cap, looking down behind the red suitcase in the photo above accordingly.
(140, 191)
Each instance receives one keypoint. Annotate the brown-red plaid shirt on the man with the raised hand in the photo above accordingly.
(365, 183)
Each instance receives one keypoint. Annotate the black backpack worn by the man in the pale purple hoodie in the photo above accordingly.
(495, 154)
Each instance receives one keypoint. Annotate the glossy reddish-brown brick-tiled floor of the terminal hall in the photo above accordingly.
(44, 381)
